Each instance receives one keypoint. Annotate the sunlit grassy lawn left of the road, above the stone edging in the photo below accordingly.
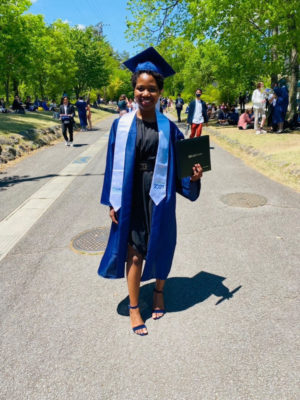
(15, 123)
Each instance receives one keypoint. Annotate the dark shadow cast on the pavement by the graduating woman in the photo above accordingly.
(182, 293)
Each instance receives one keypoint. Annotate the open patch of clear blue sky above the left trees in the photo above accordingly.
(112, 13)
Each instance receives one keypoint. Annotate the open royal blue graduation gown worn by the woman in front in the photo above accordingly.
(162, 239)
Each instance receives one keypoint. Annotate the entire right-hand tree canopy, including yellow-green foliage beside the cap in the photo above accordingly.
(232, 43)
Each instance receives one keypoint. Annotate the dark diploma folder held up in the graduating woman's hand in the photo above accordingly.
(190, 152)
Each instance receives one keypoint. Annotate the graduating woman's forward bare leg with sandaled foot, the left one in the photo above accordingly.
(134, 273)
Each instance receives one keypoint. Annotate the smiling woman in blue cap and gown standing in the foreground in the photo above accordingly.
(140, 186)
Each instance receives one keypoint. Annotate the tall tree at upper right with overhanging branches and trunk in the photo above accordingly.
(257, 38)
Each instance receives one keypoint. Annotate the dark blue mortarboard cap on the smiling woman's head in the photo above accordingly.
(149, 60)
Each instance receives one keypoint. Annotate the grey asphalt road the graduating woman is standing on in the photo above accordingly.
(65, 332)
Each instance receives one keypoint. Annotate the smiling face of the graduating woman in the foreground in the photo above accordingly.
(146, 92)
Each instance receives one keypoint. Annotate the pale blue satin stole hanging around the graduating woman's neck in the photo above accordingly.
(159, 181)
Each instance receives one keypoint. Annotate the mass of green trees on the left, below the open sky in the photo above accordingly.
(43, 60)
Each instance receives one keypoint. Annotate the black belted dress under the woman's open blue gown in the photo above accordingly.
(142, 204)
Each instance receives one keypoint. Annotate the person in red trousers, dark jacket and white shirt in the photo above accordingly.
(197, 114)
